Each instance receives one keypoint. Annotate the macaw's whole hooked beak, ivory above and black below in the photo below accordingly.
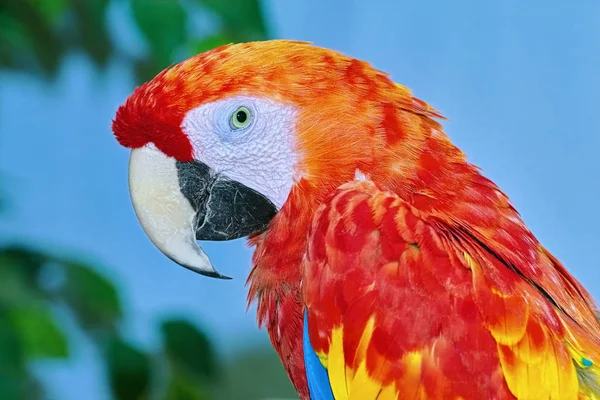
(177, 203)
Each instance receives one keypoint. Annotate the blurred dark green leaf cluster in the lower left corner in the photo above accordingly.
(35, 285)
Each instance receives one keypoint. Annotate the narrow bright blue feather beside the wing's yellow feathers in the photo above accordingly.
(316, 374)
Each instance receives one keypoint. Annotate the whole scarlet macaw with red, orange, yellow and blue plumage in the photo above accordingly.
(386, 266)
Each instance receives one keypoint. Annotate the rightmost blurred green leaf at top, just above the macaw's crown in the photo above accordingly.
(242, 19)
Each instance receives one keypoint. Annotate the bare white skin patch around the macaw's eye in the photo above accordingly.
(260, 155)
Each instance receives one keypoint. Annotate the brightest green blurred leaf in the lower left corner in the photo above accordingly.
(40, 334)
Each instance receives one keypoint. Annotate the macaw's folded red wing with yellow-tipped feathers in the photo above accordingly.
(402, 304)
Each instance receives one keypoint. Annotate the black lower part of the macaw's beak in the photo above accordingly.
(225, 209)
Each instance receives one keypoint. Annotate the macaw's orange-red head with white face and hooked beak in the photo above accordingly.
(220, 141)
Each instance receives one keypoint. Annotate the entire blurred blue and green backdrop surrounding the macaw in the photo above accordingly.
(89, 309)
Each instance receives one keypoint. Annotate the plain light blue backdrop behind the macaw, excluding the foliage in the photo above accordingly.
(520, 85)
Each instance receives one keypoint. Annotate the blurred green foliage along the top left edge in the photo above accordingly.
(35, 35)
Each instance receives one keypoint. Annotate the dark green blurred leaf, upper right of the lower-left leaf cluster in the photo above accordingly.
(92, 297)
